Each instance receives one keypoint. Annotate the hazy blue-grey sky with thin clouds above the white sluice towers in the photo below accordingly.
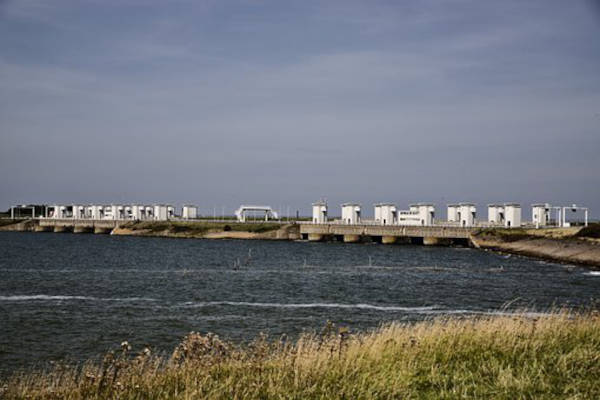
(222, 103)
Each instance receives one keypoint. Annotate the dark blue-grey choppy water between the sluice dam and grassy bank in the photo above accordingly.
(77, 296)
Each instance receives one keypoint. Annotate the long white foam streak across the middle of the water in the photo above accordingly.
(308, 305)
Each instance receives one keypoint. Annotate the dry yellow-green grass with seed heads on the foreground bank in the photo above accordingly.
(500, 357)
